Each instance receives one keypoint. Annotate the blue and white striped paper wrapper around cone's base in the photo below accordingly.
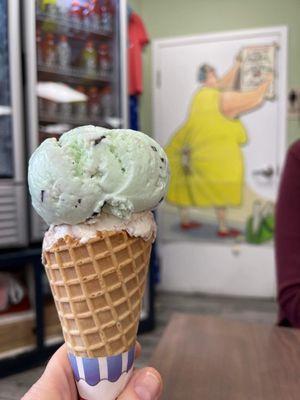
(104, 377)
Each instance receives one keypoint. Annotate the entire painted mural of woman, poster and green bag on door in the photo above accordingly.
(206, 151)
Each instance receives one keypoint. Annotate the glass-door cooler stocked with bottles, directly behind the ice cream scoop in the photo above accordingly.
(75, 53)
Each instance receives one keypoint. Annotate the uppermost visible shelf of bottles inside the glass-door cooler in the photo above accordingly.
(70, 29)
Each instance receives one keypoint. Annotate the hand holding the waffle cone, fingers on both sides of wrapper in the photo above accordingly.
(57, 382)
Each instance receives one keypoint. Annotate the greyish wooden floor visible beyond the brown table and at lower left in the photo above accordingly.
(264, 311)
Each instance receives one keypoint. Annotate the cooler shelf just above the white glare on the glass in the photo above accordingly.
(72, 75)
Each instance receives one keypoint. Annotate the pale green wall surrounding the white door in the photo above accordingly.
(167, 18)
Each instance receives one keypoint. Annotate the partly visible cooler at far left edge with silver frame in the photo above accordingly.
(13, 220)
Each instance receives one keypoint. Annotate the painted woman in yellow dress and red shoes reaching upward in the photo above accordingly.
(206, 161)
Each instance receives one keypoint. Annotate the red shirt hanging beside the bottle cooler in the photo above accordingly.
(138, 38)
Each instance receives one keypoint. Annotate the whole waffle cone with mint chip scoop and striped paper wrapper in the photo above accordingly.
(95, 188)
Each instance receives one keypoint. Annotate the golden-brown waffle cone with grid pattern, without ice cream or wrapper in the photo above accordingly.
(98, 288)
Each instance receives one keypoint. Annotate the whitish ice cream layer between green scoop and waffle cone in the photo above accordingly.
(138, 225)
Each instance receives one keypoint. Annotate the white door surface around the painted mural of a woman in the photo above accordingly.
(190, 262)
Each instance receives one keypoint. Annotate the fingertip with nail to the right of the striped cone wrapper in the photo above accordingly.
(146, 384)
